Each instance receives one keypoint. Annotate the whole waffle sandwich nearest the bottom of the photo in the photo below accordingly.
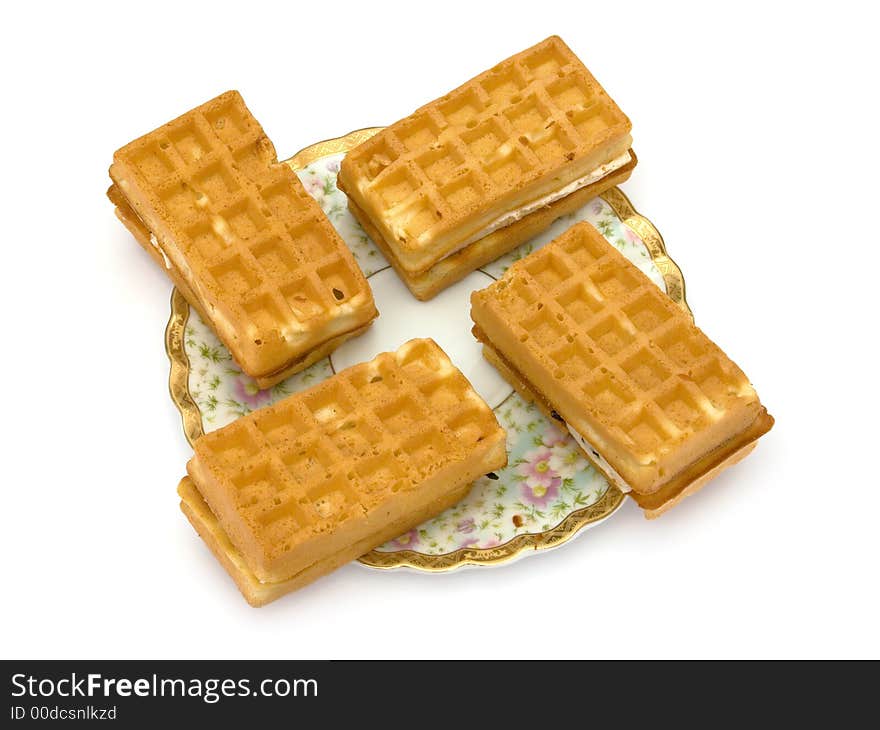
(293, 491)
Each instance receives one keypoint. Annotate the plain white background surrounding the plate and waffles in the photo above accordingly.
(756, 129)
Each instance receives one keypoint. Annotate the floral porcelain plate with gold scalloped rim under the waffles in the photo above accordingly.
(548, 492)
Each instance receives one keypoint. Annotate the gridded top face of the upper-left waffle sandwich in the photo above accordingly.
(245, 225)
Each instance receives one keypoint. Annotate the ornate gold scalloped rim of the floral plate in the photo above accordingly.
(572, 525)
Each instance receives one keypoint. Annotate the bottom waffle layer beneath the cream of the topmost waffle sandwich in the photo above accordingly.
(453, 268)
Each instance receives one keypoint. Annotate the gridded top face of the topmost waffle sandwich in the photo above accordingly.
(507, 128)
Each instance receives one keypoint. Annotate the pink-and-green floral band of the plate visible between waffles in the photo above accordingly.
(547, 478)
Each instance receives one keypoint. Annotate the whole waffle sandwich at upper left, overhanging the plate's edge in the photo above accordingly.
(236, 231)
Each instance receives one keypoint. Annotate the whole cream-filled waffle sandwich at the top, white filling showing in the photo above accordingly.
(449, 184)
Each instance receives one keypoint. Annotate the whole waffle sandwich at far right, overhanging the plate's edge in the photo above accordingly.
(653, 402)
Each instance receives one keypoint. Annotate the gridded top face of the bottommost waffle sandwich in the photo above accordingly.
(341, 449)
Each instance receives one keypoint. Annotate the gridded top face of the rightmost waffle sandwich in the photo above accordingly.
(612, 337)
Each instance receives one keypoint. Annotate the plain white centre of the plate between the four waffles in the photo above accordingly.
(445, 318)
